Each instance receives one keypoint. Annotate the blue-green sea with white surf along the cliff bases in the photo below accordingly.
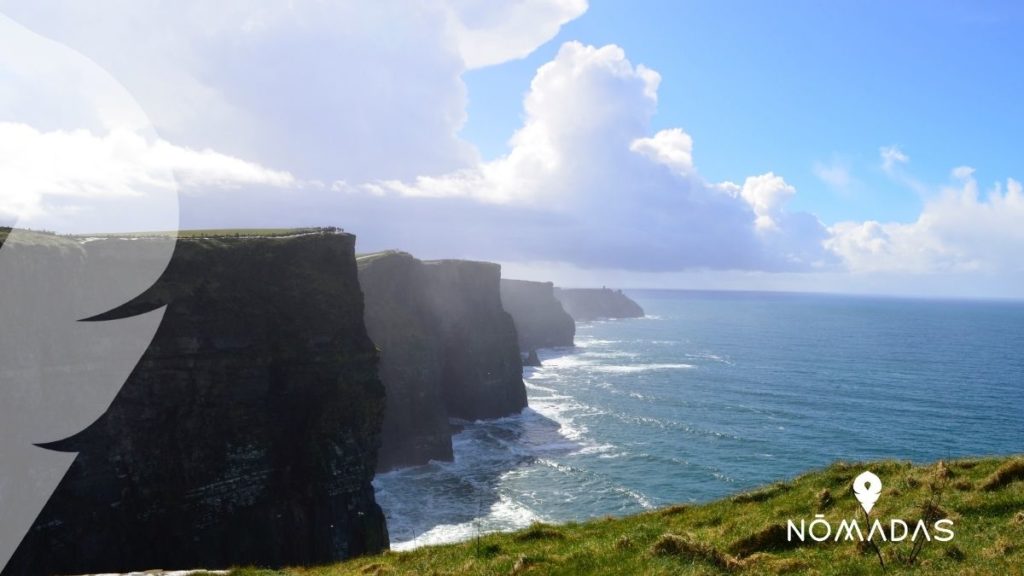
(718, 392)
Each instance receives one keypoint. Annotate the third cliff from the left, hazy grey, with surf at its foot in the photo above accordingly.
(483, 369)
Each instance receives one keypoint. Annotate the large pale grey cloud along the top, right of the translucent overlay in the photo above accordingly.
(327, 91)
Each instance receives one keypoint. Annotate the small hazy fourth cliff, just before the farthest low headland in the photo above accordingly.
(540, 319)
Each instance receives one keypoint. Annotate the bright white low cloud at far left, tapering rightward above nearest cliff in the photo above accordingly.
(80, 182)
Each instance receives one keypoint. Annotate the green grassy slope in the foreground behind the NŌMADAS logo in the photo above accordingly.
(742, 534)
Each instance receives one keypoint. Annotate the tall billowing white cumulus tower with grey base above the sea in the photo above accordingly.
(585, 158)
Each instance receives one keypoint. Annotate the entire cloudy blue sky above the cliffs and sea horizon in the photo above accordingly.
(852, 147)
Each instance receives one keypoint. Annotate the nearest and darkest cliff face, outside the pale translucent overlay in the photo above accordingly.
(248, 433)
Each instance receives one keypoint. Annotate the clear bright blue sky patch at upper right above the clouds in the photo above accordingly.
(788, 87)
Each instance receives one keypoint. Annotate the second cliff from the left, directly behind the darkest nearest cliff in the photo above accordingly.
(406, 331)
